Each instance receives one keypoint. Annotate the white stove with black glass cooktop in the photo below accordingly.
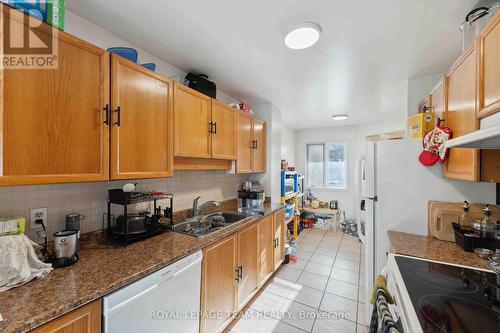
(445, 298)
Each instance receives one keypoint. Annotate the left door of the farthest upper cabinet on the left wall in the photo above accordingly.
(244, 162)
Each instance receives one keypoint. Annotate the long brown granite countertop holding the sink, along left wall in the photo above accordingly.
(101, 269)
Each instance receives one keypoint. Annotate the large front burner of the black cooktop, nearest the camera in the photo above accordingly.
(446, 313)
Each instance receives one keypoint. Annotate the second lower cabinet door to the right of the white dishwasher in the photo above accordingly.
(248, 263)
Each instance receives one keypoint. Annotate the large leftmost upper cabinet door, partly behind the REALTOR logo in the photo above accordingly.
(52, 120)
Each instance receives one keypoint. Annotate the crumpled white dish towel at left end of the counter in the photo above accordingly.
(18, 262)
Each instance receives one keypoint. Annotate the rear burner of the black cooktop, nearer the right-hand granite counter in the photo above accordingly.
(437, 276)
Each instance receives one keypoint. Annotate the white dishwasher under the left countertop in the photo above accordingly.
(165, 301)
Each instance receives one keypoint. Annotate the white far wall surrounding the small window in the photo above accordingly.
(355, 138)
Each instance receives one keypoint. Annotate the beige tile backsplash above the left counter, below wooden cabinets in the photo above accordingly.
(90, 199)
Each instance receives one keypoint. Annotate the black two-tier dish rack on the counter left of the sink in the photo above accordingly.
(152, 228)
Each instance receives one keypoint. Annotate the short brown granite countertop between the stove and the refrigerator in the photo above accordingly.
(428, 247)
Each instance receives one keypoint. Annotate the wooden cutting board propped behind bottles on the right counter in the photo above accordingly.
(443, 213)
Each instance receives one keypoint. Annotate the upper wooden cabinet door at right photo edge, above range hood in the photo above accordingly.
(489, 68)
